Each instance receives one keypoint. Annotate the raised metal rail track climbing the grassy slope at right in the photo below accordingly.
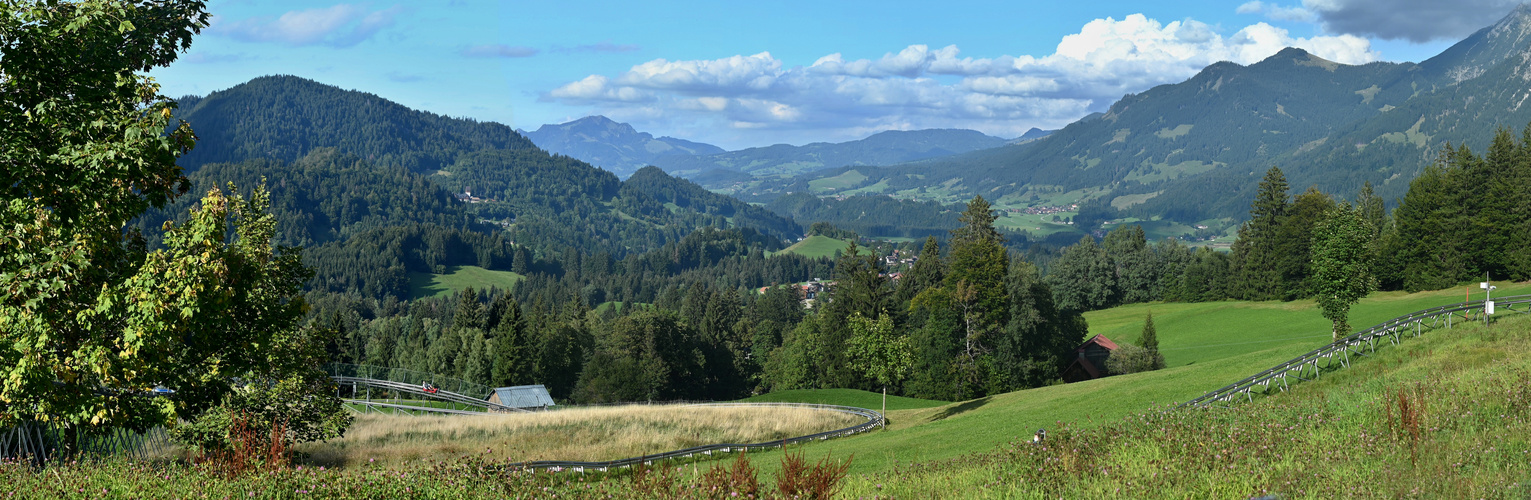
(1353, 345)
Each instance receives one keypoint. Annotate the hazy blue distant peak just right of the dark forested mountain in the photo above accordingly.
(613, 146)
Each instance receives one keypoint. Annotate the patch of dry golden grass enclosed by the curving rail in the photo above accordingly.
(569, 435)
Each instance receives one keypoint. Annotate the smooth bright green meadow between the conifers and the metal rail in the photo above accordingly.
(1207, 346)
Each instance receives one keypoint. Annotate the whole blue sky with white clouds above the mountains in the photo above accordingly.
(768, 73)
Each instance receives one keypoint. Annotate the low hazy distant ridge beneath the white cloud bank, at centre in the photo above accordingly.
(881, 149)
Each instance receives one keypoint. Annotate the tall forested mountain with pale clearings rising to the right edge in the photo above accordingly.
(1196, 149)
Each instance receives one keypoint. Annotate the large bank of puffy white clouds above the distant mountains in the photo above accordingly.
(922, 88)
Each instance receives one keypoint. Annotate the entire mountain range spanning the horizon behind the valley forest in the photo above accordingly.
(1189, 152)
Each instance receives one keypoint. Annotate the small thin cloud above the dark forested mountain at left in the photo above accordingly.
(342, 27)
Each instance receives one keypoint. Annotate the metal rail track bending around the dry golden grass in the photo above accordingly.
(873, 420)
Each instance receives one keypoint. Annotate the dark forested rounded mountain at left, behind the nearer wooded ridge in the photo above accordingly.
(287, 117)
